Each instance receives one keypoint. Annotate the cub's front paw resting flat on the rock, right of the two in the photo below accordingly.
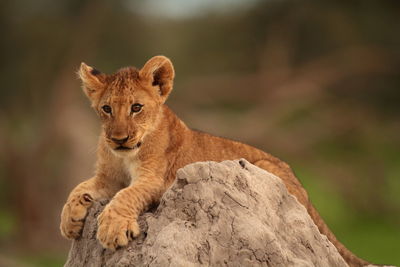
(114, 229)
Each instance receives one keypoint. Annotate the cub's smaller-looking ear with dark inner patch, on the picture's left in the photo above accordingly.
(92, 81)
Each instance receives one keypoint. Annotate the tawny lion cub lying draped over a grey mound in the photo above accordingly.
(142, 145)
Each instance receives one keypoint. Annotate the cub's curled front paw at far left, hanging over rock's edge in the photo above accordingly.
(73, 215)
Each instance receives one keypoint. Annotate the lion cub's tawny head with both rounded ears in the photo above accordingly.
(129, 101)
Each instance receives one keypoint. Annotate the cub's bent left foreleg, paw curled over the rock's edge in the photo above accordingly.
(75, 209)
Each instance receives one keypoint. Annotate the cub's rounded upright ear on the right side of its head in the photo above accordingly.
(159, 71)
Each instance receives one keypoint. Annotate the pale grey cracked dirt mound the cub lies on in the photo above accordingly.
(216, 214)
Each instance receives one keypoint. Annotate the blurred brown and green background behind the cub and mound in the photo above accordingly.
(316, 83)
